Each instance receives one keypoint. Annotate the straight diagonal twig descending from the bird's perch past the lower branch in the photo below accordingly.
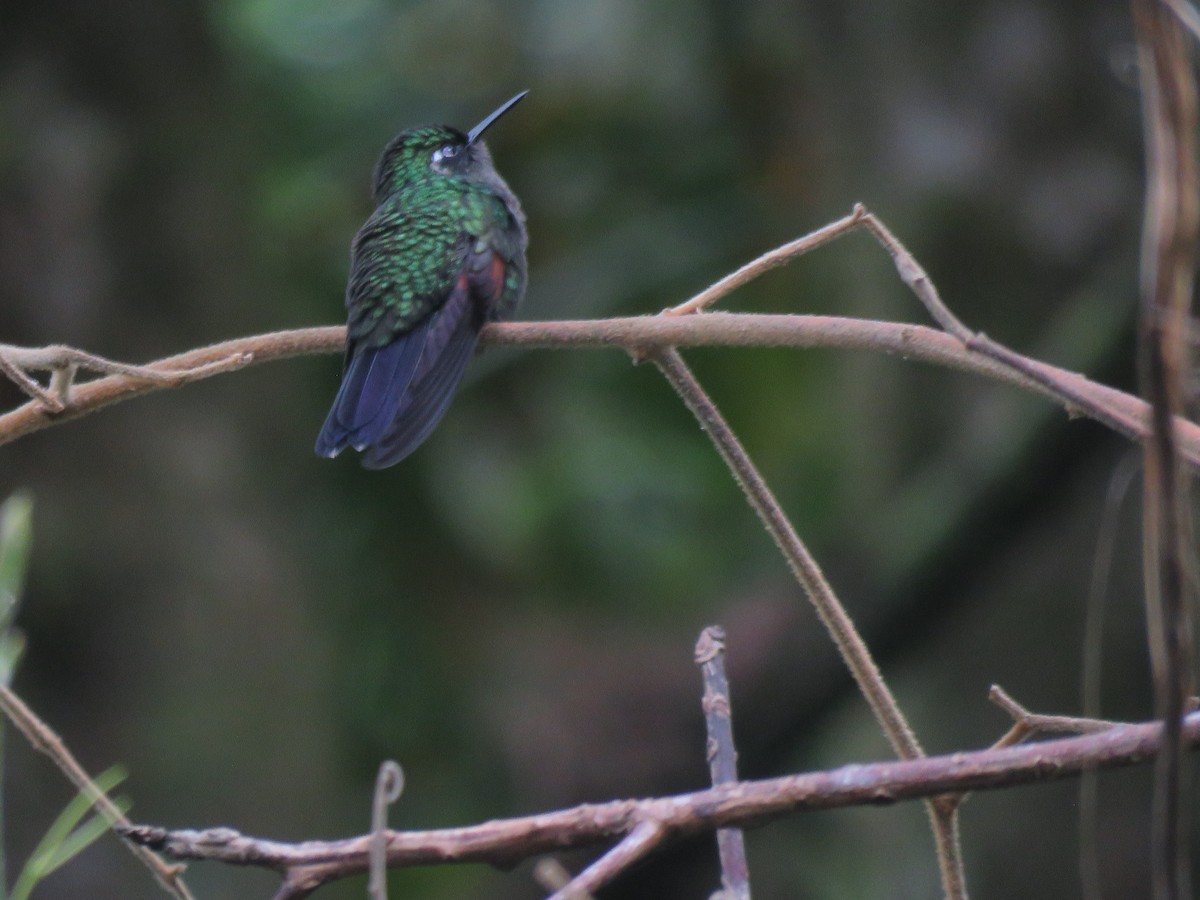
(830, 610)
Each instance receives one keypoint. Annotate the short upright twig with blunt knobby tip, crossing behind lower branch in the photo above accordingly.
(723, 758)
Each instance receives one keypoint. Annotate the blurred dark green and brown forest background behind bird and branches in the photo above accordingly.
(511, 613)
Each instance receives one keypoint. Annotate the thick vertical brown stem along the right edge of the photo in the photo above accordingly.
(1171, 232)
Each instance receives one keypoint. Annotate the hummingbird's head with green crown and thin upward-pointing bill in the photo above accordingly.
(434, 152)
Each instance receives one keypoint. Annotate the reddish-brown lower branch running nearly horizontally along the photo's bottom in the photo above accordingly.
(505, 843)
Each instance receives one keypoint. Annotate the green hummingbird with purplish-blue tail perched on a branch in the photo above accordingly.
(443, 254)
